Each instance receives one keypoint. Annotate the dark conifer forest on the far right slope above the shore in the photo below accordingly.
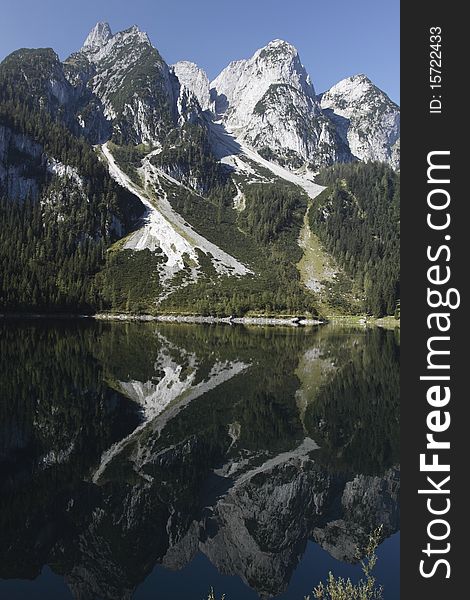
(357, 219)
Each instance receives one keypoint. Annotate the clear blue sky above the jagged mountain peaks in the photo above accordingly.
(335, 38)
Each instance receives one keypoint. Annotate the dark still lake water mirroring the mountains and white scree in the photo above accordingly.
(143, 461)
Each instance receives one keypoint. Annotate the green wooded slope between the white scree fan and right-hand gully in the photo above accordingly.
(263, 237)
